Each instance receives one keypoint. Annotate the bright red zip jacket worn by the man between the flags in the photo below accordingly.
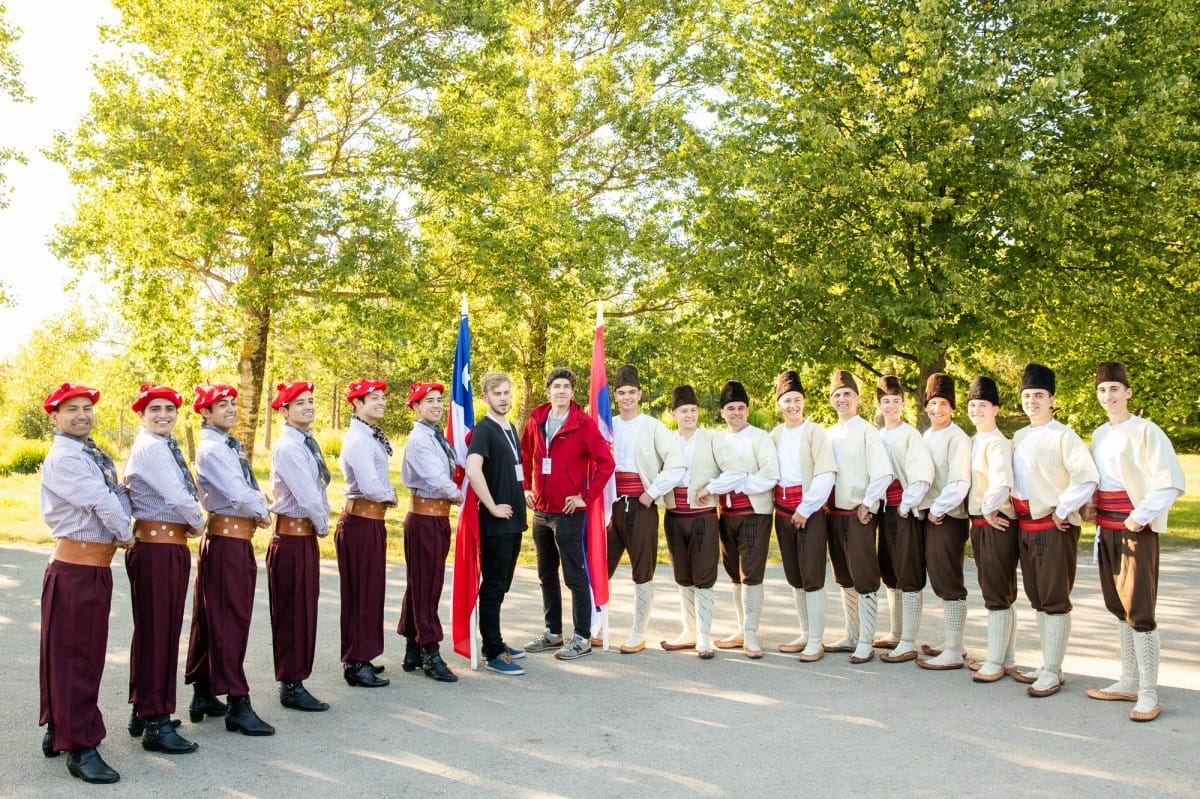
(581, 460)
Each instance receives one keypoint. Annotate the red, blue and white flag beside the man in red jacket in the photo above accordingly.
(599, 512)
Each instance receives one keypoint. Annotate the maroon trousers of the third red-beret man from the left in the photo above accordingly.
(223, 604)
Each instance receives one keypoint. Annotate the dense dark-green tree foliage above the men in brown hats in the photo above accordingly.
(905, 185)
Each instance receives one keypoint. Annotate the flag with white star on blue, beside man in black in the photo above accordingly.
(466, 551)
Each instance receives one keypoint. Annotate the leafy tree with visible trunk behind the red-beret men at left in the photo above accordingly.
(241, 158)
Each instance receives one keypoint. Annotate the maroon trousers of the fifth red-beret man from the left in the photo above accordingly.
(362, 546)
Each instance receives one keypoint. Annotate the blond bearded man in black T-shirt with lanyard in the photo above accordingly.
(494, 468)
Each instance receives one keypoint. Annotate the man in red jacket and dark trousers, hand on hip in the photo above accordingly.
(566, 461)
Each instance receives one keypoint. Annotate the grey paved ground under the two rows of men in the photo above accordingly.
(647, 725)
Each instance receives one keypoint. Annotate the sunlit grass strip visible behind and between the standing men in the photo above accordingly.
(23, 522)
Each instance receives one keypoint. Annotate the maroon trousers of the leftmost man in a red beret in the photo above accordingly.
(76, 602)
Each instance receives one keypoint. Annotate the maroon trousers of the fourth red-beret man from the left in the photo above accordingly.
(293, 584)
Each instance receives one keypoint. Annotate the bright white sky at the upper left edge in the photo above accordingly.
(57, 46)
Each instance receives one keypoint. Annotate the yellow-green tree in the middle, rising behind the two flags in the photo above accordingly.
(543, 167)
